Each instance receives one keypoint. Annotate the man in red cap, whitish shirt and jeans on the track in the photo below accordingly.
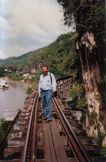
(47, 86)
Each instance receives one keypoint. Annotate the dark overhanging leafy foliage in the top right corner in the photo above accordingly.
(89, 15)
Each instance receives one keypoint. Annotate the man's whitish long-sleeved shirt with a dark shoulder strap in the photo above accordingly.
(47, 83)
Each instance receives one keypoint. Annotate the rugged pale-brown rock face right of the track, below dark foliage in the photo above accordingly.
(86, 47)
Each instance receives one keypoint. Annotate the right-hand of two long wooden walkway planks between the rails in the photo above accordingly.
(58, 143)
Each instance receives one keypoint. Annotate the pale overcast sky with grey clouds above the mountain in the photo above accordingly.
(26, 25)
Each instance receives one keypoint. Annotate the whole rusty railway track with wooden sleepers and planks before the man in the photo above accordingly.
(33, 139)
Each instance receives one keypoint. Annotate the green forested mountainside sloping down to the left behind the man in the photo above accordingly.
(60, 56)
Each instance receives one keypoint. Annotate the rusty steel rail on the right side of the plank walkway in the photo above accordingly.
(78, 150)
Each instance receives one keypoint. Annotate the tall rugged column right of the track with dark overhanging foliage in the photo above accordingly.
(89, 16)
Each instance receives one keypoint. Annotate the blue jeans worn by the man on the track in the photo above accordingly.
(46, 97)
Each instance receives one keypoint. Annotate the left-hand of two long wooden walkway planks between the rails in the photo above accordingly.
(49, 150)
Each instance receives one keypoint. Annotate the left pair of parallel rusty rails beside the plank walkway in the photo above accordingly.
(29, 152)
